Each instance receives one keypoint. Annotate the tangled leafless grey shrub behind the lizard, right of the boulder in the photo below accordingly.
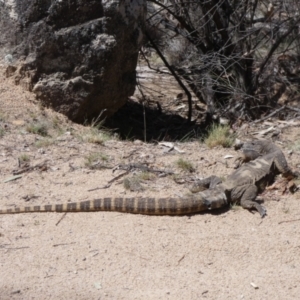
(230, 53)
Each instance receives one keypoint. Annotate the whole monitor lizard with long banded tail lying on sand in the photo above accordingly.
(262, 160)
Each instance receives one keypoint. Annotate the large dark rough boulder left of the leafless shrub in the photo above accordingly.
(77, 56)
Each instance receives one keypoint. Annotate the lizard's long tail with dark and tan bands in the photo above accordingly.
(146, 206)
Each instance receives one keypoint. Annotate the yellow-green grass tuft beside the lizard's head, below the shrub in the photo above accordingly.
(219, 135)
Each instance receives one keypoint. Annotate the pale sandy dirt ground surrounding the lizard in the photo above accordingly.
(232, 254)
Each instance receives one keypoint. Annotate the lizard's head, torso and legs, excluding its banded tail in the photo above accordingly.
(264, 161)
